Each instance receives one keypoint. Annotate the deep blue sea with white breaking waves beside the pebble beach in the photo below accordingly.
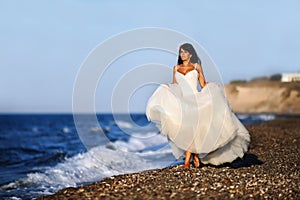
(43, 153)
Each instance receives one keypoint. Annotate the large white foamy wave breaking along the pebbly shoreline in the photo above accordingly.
(94, 165)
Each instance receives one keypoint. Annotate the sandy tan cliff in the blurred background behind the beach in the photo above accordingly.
(264, 96)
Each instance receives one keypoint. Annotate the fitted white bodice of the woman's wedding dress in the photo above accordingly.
(187, 82)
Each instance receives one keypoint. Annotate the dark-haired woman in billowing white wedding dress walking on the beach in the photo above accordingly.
(197, 124)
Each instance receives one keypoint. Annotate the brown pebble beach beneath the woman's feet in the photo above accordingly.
(270, 170)
